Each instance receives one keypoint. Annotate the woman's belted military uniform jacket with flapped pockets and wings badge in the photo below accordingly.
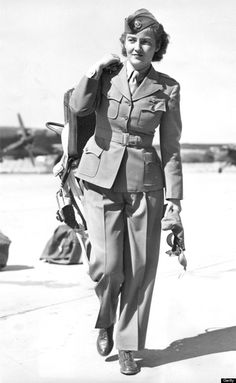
(120, 153)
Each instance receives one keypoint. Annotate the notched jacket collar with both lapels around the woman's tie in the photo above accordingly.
(149, 85)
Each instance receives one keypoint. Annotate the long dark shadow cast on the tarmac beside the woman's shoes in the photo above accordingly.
(211, 342)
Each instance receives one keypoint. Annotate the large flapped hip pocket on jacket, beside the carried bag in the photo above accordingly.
(90, 161)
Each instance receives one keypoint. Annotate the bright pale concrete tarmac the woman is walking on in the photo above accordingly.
(48, 312)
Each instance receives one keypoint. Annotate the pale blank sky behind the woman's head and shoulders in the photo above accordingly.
(47, 45)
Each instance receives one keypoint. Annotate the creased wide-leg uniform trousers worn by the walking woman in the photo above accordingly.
(124, 229)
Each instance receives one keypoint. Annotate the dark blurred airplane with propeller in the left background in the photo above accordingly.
(23, 142)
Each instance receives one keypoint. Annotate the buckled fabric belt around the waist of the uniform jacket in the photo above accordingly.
(127, 139)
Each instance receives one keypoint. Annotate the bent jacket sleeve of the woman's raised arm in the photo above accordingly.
(85, 96)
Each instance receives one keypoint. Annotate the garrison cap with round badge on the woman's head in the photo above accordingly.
(139, 20)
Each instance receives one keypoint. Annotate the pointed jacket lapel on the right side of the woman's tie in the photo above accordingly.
(149, 85)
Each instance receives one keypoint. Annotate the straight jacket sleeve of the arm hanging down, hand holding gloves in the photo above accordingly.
(170, 133)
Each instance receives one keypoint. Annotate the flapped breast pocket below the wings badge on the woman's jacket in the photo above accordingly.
(150, 114)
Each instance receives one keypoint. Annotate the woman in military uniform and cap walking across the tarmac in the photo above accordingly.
(125, 180)
